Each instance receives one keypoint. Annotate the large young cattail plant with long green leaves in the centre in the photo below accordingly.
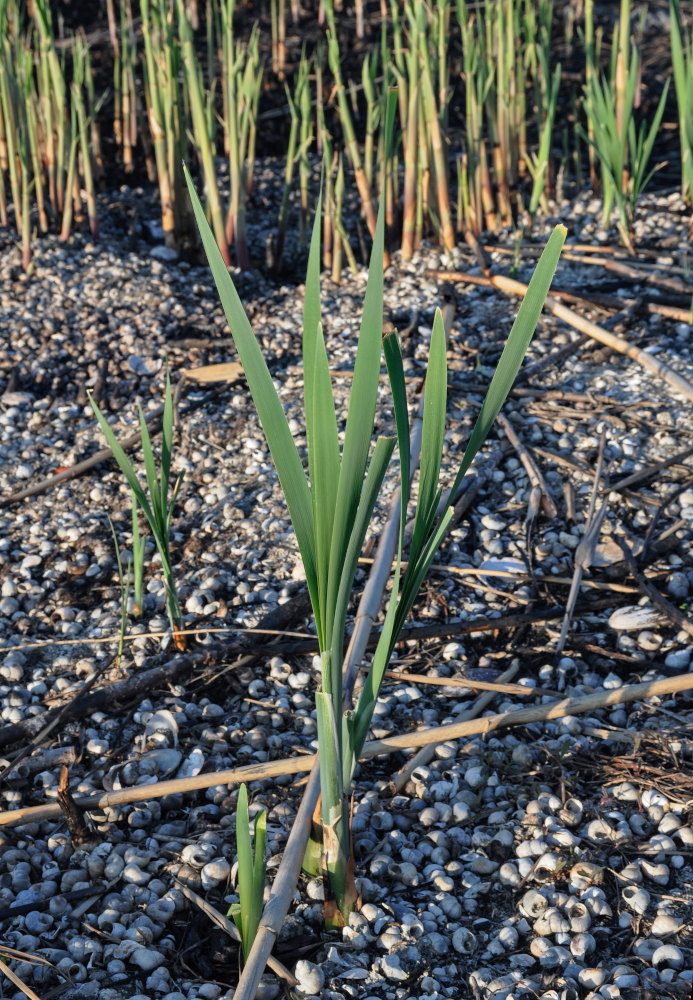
(331, 506)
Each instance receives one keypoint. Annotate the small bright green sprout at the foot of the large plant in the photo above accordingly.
(251, 872)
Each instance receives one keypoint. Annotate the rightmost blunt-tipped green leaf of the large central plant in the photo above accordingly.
(515, 349)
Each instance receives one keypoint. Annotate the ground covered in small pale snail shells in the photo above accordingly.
(548, 861)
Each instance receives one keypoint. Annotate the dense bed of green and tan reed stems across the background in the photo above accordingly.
(500, 106)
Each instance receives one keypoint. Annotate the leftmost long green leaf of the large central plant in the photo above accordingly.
(267, 402)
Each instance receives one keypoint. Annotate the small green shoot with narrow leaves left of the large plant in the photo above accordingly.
(157, 507)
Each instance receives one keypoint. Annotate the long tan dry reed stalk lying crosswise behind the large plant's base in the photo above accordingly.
(391, 744)
